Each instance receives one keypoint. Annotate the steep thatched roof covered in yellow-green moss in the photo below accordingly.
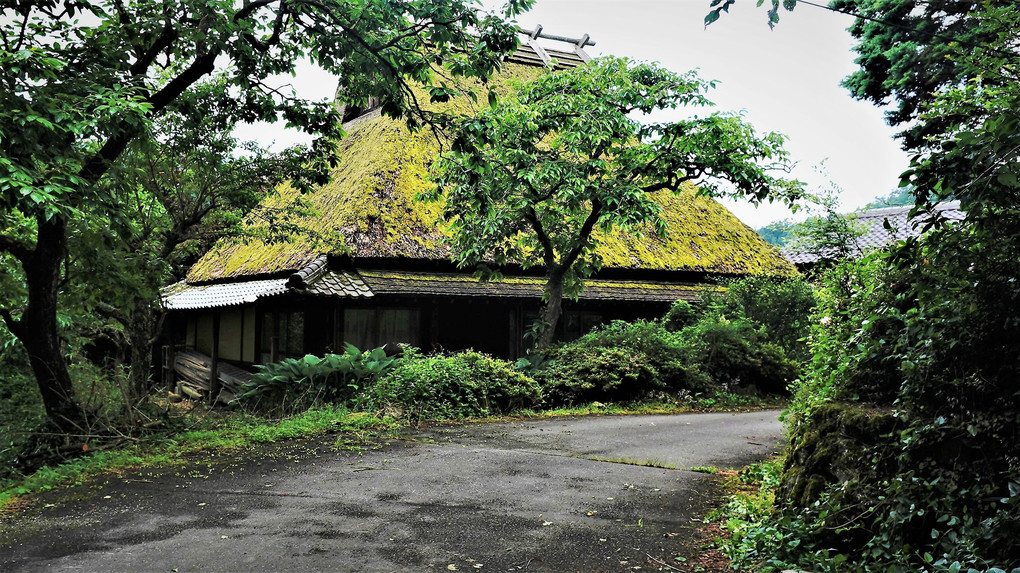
(370, 211)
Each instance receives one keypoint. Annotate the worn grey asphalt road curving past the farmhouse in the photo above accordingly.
(565, 495)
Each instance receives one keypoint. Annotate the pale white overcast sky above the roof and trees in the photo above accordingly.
(786, 81)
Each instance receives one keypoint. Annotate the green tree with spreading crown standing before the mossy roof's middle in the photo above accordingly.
(531, 181)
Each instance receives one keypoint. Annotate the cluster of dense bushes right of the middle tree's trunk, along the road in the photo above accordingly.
(746, 339)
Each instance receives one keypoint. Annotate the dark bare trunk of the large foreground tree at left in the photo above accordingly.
(37, 329)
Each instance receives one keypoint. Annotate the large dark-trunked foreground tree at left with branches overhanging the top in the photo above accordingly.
(82, 80)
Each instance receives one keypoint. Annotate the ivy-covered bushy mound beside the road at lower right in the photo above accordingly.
(926, 337)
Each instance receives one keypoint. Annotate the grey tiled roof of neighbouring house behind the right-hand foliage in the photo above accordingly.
(876, 236)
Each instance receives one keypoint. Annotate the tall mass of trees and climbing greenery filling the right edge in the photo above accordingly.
(905, 451)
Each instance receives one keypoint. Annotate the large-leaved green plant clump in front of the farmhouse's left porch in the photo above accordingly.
(299, 383)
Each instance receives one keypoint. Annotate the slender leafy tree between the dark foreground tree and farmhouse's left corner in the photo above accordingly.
(180, 187)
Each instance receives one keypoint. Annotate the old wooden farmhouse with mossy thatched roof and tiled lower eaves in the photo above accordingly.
(374, 267)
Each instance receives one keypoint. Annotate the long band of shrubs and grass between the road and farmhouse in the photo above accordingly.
(647, 367)
